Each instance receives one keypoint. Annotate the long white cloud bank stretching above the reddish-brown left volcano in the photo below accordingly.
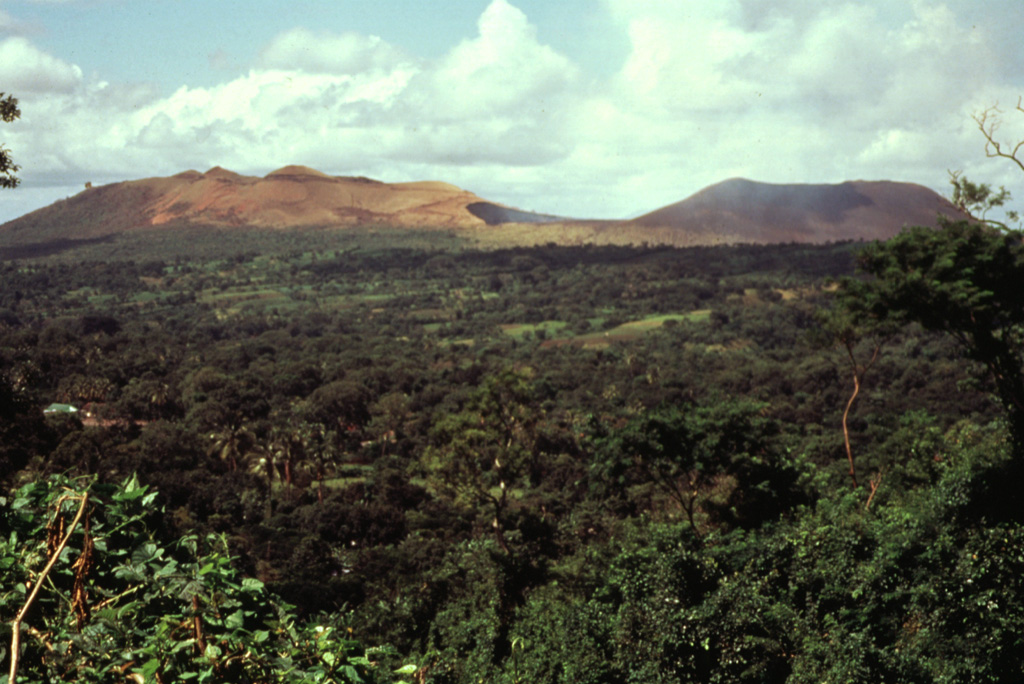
(343, 103)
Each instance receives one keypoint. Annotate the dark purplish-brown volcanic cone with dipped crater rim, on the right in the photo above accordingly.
(745, 211)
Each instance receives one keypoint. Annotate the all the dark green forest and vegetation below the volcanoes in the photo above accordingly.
(317, 458)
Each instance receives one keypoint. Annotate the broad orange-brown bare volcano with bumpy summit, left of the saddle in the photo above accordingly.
(291, 197)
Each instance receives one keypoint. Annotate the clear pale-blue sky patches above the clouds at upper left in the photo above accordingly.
(145, 40)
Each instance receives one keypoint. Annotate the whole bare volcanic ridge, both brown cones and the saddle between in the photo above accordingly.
(737, 210)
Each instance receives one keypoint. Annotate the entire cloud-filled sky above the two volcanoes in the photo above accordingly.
(581, 108)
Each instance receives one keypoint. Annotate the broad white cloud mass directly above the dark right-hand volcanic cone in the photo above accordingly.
(799, 92)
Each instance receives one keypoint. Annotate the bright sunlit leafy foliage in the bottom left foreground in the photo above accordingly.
(119, 605)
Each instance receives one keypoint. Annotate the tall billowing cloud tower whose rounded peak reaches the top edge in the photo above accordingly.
(501, 98)
